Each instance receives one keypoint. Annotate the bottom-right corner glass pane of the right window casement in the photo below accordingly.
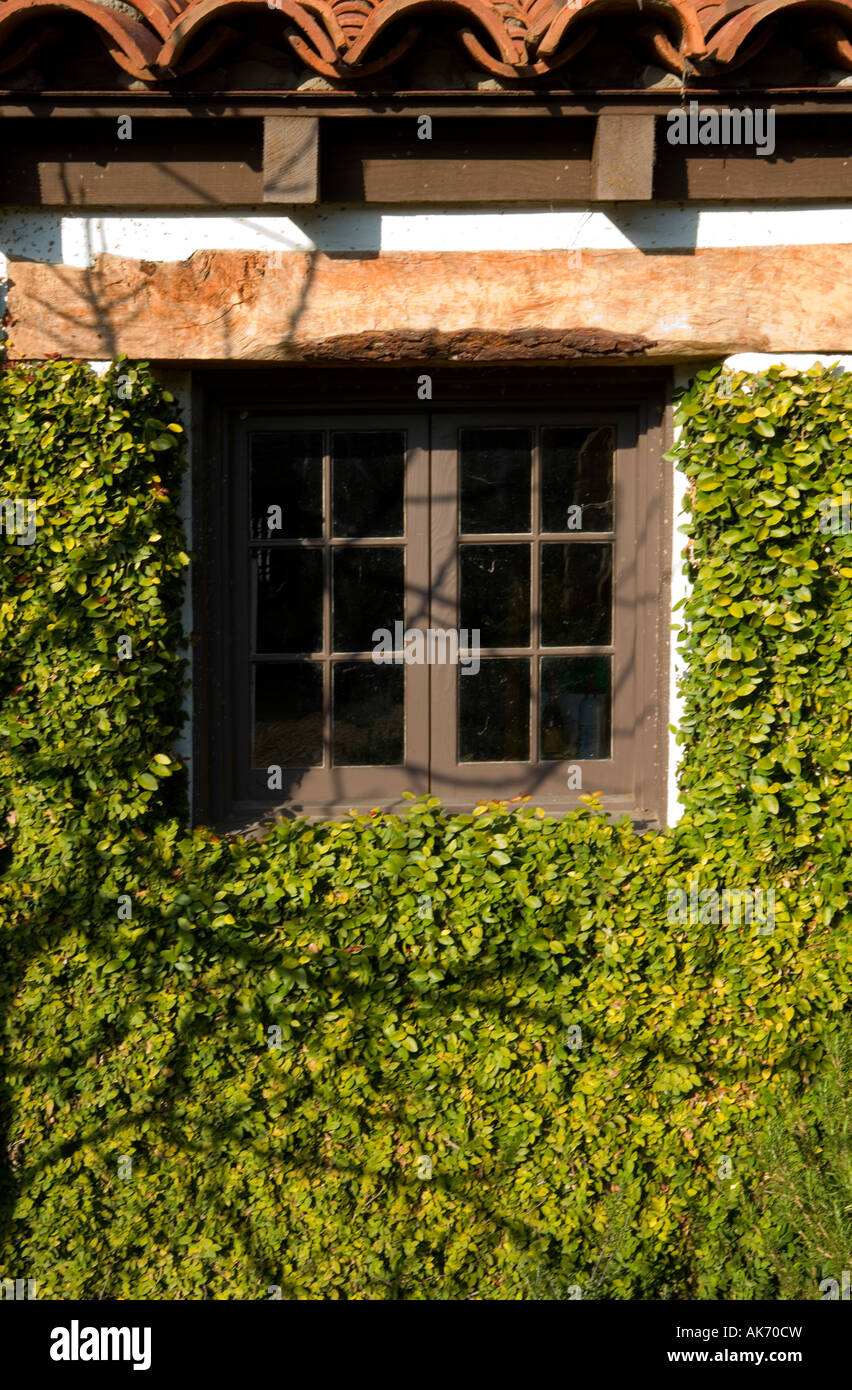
(576, 697)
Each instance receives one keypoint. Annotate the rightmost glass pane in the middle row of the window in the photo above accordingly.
(577, 594)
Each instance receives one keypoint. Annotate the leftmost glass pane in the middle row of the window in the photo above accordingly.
(287, 600)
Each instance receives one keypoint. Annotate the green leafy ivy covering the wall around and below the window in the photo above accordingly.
(501, 1070)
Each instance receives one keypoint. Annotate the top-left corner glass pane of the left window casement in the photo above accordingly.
(287, 486)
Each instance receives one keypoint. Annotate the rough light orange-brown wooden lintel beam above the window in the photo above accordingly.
(291, 306)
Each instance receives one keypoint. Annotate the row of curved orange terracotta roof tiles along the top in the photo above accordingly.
(161, 41)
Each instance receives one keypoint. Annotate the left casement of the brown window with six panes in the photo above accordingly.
(336, 547)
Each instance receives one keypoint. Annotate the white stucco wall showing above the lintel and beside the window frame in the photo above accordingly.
(77, 238)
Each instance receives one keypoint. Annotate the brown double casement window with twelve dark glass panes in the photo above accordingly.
(464, 603)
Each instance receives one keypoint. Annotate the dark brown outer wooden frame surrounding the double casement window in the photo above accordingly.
(224, 400)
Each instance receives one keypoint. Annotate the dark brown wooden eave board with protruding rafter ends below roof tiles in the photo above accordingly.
(293, 161)
